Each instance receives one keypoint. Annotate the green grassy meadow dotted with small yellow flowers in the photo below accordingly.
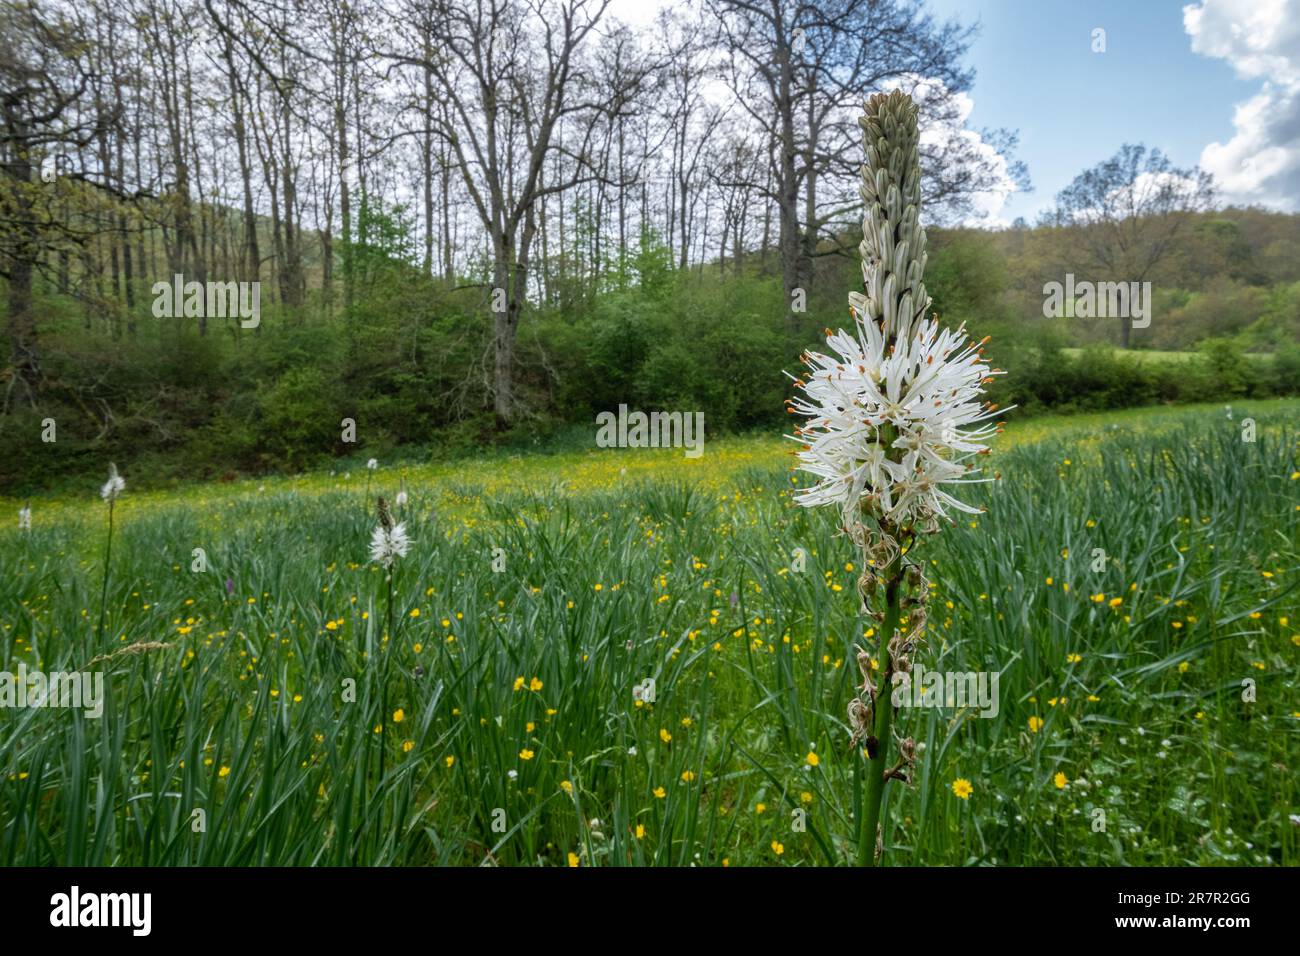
(263, 711)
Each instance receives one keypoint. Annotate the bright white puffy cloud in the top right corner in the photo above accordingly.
(1262, 41)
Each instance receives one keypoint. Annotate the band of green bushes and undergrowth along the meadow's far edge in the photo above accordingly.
(411, 361)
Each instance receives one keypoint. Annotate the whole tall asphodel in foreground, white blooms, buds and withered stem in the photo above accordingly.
(895, 416)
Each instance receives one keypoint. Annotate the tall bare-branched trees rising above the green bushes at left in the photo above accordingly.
(528, 145)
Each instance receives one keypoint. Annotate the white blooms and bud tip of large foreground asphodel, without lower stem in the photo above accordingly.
(896, 412)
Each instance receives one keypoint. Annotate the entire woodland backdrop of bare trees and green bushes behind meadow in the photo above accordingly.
(483, 222)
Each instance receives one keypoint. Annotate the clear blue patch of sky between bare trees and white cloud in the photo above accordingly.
(1037, 73)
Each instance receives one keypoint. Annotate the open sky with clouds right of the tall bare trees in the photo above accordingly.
(1210, 83)
